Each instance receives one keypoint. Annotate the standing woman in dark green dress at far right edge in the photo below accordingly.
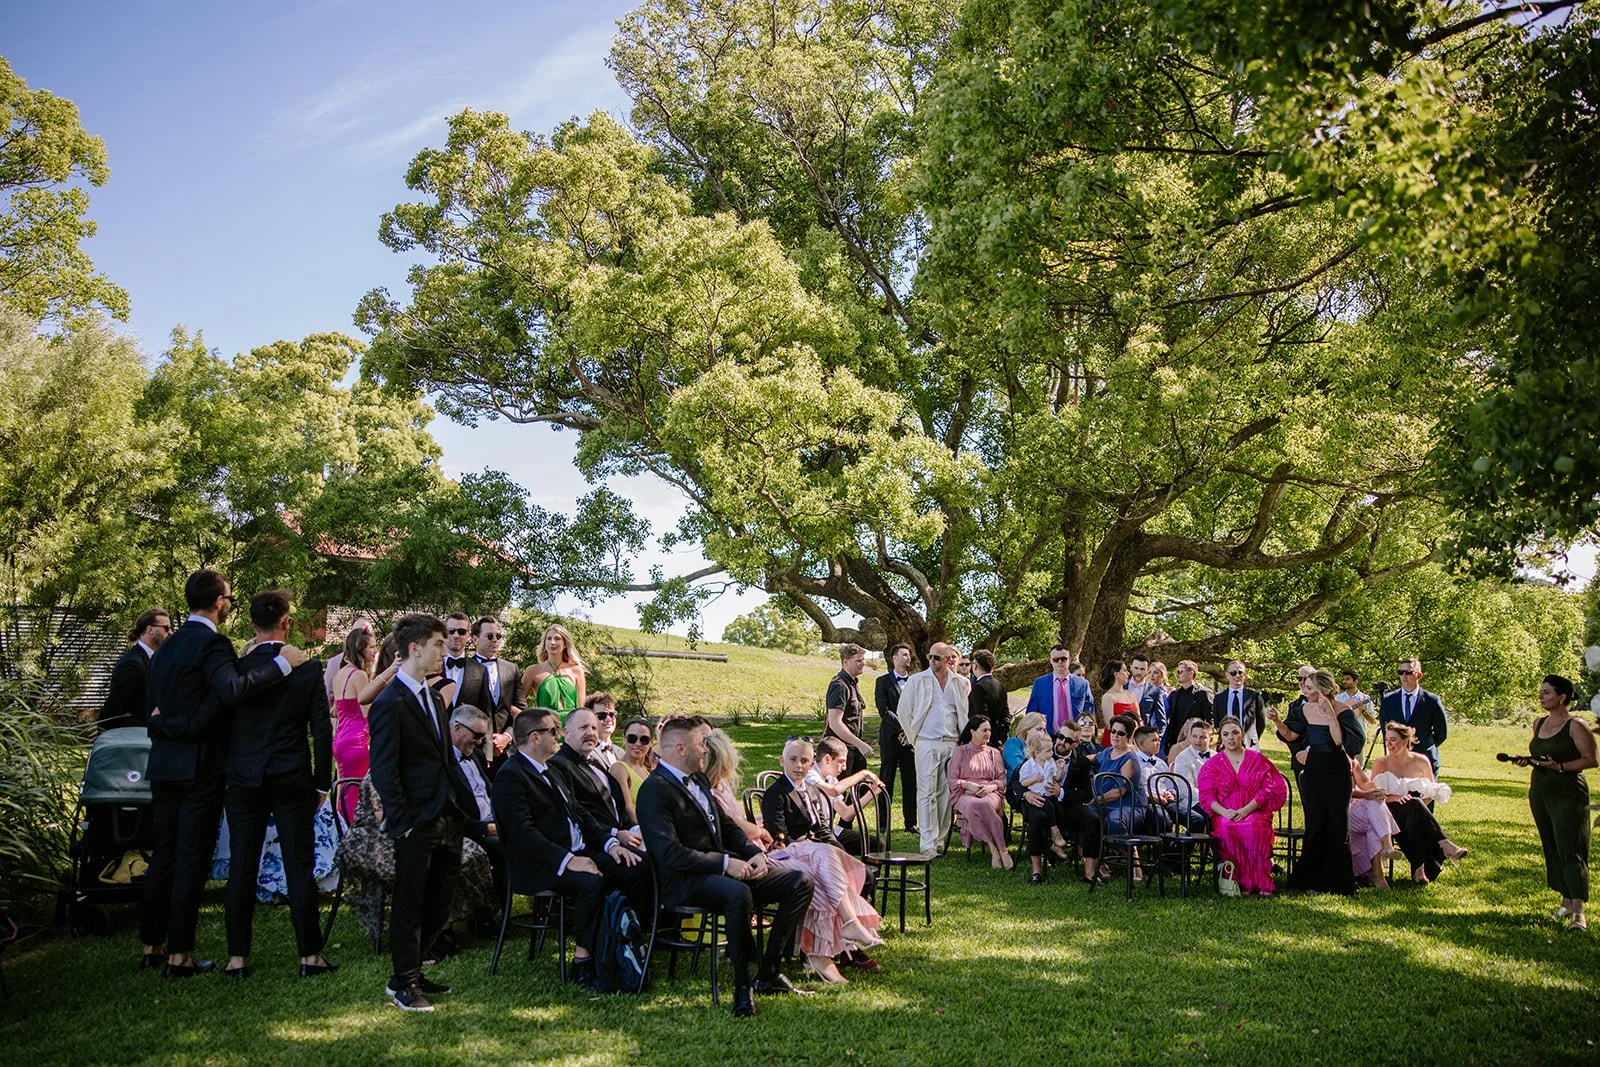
(1562, 748)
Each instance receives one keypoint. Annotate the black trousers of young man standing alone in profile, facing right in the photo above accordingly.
(428, 865)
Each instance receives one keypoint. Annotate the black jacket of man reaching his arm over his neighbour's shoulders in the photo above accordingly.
(196, 679)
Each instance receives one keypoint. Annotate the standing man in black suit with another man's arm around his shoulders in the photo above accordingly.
(271, 772)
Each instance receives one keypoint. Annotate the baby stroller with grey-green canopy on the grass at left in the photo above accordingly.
(111, 833)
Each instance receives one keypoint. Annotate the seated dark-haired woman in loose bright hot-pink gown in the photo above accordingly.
(1239, 791)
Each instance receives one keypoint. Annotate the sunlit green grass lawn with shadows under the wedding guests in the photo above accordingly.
(1471, 970)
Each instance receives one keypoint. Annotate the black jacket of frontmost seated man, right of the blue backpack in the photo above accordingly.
(684, 845)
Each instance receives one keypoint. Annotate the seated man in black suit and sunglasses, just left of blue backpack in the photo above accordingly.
(554, 844)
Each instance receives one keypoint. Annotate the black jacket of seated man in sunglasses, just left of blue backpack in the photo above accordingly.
(534, 825)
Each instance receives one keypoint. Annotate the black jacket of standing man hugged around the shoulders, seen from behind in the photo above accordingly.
(270, 729)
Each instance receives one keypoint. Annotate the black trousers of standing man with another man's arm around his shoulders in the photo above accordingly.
(292, 802)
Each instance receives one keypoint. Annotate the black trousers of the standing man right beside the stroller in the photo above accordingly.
(185, 820)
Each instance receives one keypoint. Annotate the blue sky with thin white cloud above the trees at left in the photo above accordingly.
(255, 148)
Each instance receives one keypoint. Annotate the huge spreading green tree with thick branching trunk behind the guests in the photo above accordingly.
(1036, 324)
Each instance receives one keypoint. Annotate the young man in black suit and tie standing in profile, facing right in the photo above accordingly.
(426, 805)
